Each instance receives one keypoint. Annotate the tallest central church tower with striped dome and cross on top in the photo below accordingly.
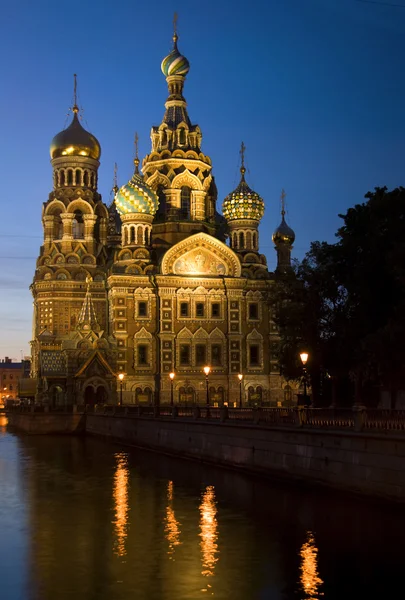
(176, 168)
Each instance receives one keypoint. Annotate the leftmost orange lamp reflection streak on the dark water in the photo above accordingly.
(121, 485)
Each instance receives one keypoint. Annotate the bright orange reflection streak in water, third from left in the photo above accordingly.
(209, 531)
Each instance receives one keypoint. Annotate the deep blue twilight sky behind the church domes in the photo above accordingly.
(315, 89)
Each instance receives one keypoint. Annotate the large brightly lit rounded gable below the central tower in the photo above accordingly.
(201, 254)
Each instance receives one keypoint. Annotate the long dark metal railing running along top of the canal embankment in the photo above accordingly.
(354, 419)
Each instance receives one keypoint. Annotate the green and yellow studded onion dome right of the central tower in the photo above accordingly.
(243, 203)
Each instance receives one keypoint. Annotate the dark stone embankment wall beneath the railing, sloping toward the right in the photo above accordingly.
(366, 463)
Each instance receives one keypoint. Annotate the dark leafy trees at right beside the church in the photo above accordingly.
(345, 302)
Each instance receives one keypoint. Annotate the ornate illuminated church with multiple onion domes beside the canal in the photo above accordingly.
(159, 287)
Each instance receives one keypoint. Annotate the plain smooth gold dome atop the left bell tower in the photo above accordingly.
(75, 141)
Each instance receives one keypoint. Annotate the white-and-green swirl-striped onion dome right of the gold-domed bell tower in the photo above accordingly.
(136, 196)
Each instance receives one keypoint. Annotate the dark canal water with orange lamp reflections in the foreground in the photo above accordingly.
(89, 520)
